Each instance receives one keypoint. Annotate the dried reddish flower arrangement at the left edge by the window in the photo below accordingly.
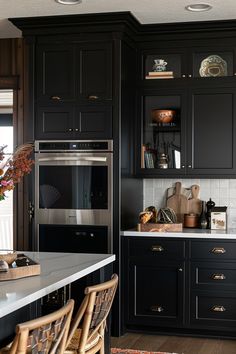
(14, 168)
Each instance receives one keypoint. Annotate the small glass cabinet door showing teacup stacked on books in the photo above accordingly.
(163, 65)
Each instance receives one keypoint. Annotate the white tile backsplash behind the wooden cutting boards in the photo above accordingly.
(221, 191)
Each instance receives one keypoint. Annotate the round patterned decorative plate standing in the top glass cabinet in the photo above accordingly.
(213, 66)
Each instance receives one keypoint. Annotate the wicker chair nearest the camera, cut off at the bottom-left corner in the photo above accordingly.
(44, 335)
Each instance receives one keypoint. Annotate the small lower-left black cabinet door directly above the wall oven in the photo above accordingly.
(54, 122)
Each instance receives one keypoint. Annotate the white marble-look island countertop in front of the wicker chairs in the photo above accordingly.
(57, 270)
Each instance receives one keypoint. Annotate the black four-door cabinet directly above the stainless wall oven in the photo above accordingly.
(74, 90)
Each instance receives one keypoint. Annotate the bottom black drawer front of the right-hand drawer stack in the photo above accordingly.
(219, 311)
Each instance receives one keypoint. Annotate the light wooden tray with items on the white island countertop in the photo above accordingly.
(22, 267)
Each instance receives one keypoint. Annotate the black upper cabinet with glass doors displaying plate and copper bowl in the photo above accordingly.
(186, 97)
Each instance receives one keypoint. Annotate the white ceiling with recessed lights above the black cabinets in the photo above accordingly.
(146, 11)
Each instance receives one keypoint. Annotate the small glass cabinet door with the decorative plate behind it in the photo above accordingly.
(214, 63)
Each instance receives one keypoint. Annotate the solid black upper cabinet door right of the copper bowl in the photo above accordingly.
(212, 146)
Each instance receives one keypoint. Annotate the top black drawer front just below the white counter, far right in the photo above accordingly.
(213, 250)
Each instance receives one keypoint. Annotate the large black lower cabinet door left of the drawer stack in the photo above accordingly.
(155, 293)
